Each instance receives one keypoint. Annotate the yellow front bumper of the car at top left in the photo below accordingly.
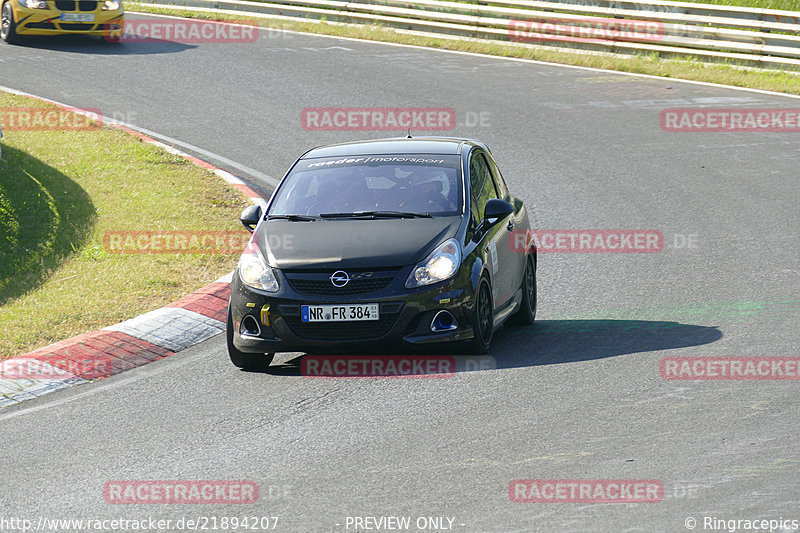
(48, 21)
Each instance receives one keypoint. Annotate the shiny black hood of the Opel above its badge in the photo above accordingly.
(349, 243)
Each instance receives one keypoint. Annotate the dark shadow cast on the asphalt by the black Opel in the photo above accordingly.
(550, 342)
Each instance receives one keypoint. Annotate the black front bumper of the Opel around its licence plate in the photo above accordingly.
(405, 317)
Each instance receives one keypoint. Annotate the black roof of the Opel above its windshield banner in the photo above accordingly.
(397, 145)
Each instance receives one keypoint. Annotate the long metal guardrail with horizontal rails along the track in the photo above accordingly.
(760, 37)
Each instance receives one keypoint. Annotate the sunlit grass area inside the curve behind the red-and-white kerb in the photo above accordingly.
(59, 193)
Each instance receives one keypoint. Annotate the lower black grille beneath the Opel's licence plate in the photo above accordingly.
(342, 331)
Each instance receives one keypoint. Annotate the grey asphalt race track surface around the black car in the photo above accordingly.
(578, 396)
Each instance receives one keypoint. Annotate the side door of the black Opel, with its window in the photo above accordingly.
(482, 189)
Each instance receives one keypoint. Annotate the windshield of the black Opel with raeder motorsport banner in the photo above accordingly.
(381, 185)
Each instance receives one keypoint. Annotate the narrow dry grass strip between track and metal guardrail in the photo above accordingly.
(688, 68)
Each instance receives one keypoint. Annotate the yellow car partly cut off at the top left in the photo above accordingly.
(104, 18)
